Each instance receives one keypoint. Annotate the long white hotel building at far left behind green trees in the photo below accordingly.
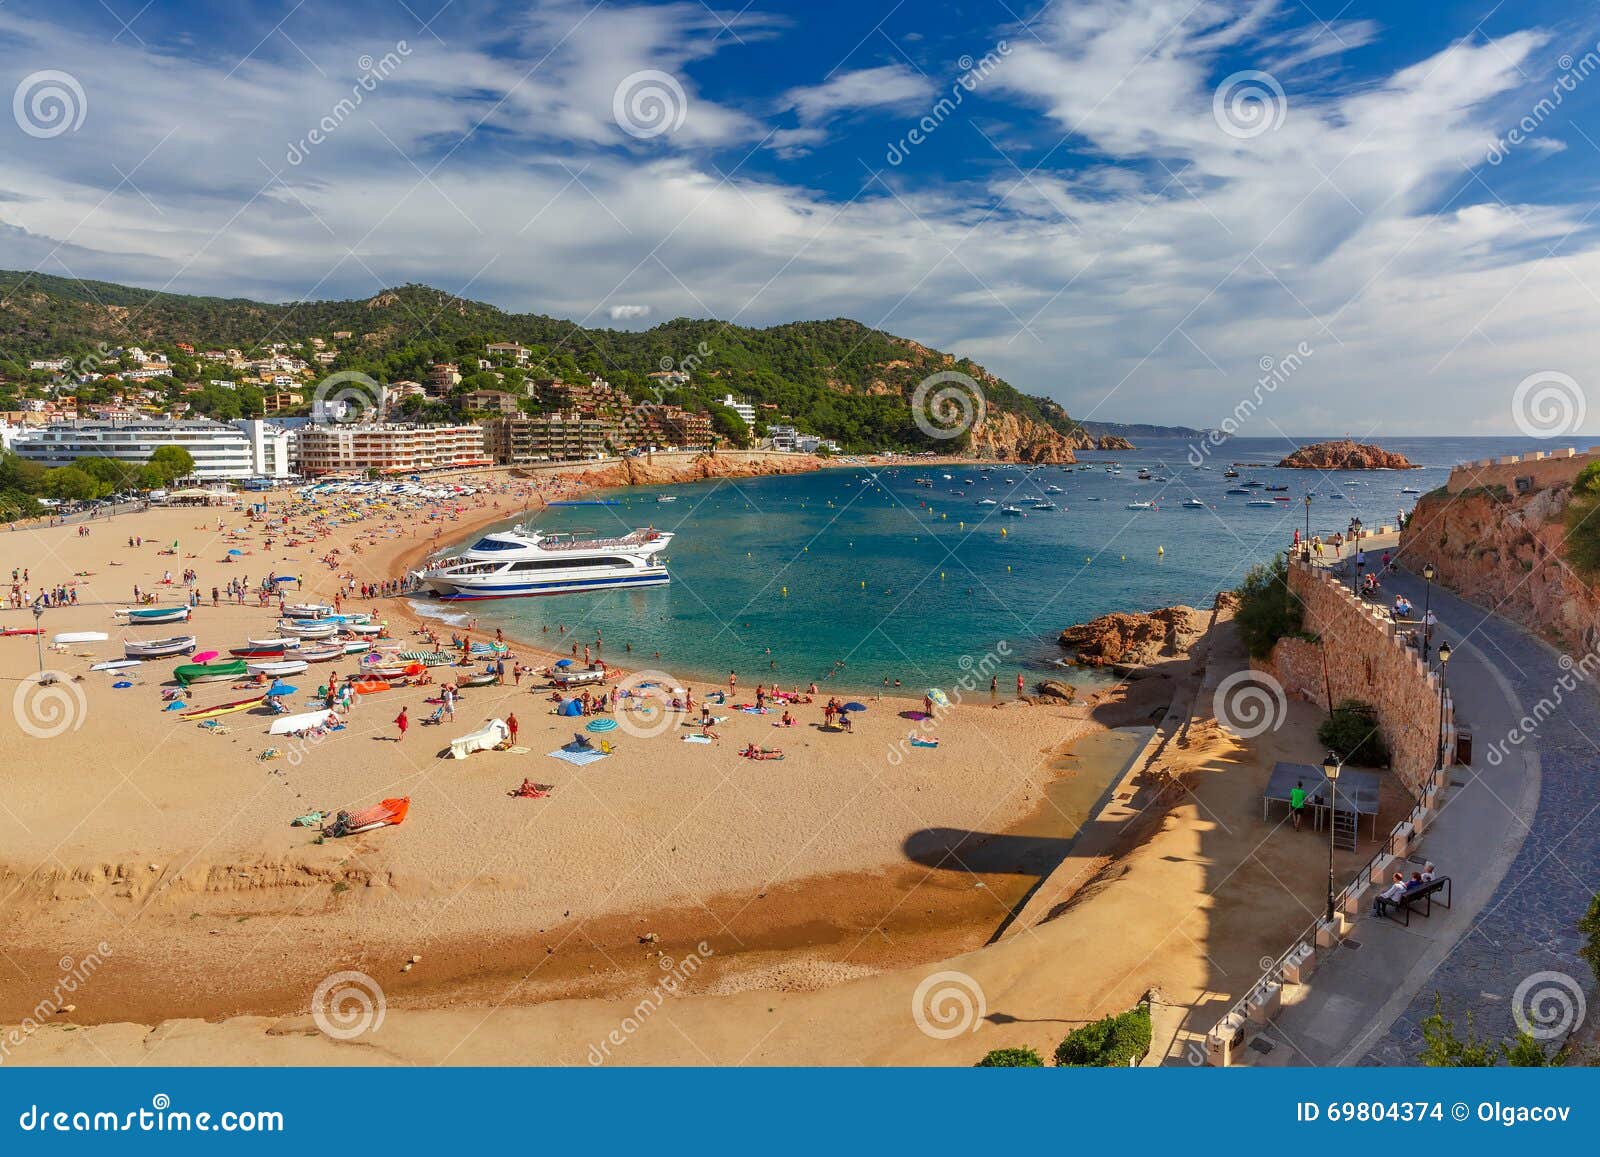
(223, 452)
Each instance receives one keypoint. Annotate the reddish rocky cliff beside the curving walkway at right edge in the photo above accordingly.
(1505, 551)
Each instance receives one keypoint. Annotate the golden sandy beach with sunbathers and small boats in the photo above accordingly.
(820, 886)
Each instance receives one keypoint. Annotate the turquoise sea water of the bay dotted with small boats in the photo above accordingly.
(850, 578)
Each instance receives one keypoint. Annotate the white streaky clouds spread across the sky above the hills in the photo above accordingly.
(1142, 286)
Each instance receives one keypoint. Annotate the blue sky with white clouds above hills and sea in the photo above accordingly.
(1129, 207)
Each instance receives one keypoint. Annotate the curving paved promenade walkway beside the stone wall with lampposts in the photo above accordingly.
(1518, 838)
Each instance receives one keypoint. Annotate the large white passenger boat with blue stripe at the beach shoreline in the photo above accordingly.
(524, 562)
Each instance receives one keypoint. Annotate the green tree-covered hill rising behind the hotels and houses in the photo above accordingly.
(834, 378)
